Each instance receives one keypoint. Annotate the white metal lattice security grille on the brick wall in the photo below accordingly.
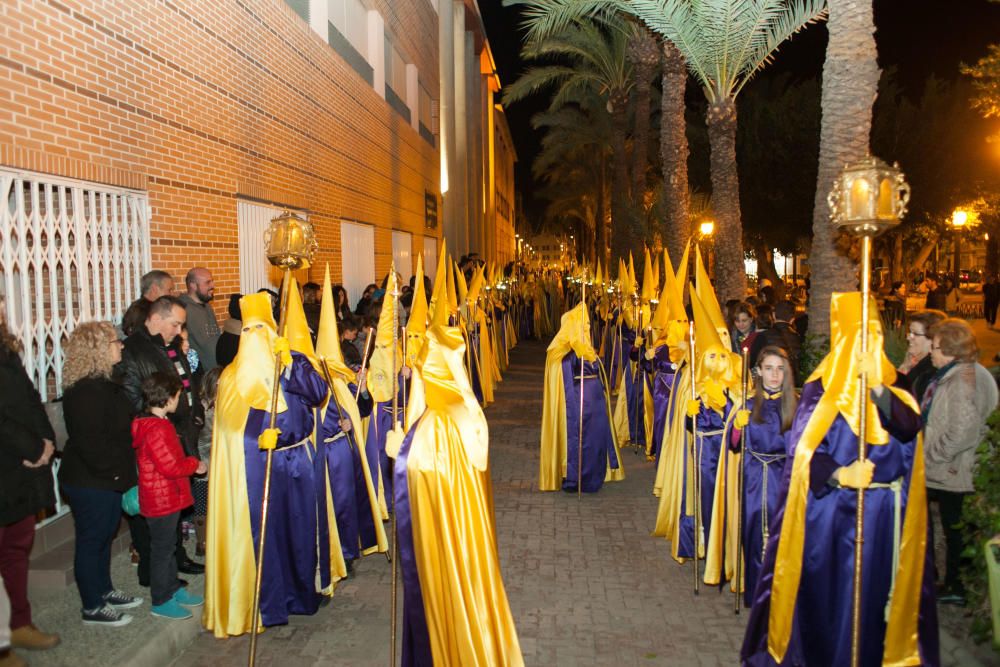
(70, 251)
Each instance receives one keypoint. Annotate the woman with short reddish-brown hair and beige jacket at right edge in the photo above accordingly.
(955, 406)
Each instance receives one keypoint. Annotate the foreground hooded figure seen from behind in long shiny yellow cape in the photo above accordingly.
(455, 608)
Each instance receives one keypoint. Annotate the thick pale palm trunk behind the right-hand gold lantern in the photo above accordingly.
(850, 85)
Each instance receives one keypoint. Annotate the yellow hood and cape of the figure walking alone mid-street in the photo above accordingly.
(573, 335)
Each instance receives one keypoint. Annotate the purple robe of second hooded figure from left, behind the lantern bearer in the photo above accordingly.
(340, 454)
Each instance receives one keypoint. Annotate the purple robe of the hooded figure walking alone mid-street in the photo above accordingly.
(598, 439)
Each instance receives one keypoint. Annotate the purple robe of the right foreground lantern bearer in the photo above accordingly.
(821, 629)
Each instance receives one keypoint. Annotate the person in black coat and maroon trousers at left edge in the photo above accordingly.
(26, 486)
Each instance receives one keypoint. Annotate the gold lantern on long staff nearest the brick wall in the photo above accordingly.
(291, 244)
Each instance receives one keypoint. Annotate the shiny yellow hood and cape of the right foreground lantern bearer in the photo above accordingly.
(838, 373)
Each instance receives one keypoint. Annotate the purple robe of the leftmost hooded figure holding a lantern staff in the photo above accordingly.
(289, 582)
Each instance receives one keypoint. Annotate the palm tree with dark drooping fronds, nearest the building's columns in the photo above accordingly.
(595, 63)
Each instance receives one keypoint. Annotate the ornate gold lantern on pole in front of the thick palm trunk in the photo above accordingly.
(868, 198)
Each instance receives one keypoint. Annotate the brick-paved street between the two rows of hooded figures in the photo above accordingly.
(587, 584)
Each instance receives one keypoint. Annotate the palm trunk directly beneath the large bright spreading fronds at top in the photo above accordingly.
(730, 273)
